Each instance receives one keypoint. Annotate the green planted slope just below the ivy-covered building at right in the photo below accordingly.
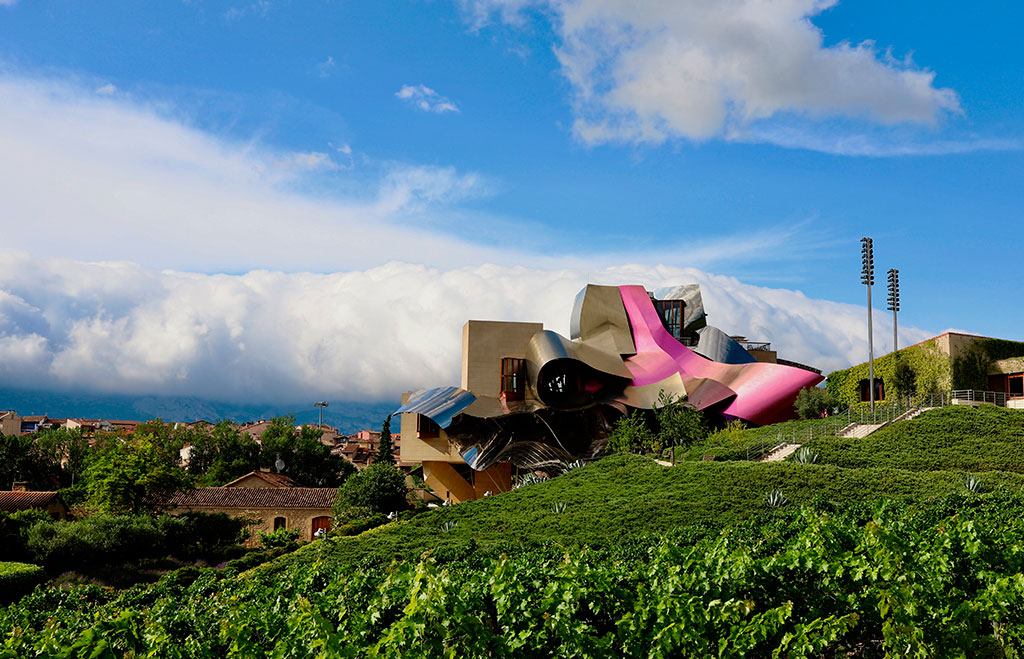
(956, 438)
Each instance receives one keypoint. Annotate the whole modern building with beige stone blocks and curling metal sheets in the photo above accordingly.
(532, 400)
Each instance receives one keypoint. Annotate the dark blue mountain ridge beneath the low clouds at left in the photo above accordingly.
(349, 418)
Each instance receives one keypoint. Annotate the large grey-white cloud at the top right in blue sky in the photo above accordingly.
(648, 71)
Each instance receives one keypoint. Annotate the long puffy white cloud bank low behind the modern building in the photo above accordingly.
(271, 336)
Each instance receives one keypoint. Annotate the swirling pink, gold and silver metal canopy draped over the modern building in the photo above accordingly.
(620, 358)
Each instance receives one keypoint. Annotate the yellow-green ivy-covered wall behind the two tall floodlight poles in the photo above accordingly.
(932, 370)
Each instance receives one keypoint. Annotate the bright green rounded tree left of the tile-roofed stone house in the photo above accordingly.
(134, 475)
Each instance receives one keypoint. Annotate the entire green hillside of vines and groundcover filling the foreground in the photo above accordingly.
(620, 558)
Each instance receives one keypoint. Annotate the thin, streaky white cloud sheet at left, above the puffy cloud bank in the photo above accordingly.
(106, 178)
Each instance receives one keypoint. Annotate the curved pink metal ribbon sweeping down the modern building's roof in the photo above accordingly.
(765, 392)
